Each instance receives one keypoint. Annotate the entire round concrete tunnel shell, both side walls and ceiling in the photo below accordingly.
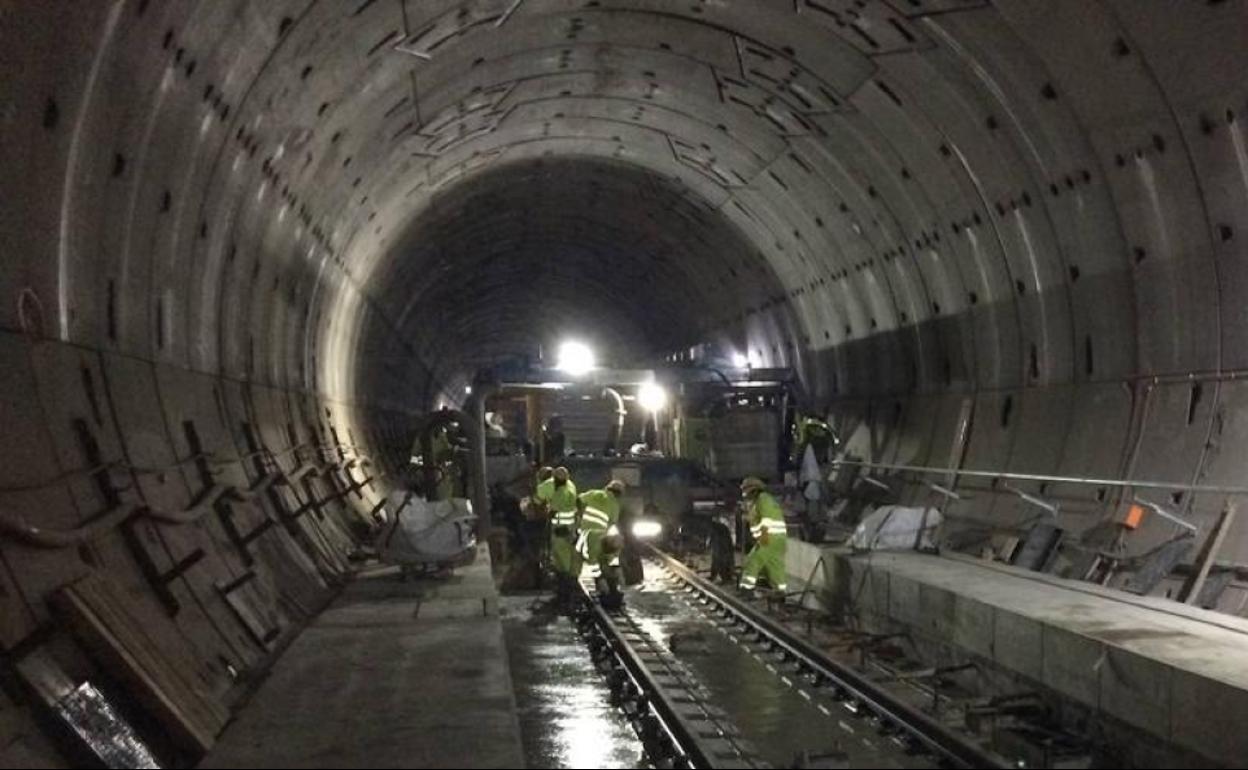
(251, 246)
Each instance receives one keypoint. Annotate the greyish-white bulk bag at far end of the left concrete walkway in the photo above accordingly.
(424, 532)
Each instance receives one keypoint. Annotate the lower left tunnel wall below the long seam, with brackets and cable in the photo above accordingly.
(223, 514)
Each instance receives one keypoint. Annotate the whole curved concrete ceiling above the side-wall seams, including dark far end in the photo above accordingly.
(1038, 209)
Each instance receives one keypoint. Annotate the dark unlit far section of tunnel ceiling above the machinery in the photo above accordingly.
(526, 254)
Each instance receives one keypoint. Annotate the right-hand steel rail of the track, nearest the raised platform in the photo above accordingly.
(922, 729)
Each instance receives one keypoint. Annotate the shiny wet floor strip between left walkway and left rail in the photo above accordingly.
(565, 711)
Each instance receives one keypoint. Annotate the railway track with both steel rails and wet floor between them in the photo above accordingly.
(712, 682)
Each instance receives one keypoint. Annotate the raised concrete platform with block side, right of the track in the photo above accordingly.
(1176, 672)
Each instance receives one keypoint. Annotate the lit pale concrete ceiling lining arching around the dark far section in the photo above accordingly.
(950, 208)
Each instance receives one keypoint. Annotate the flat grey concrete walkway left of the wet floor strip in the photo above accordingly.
(392, 676)
